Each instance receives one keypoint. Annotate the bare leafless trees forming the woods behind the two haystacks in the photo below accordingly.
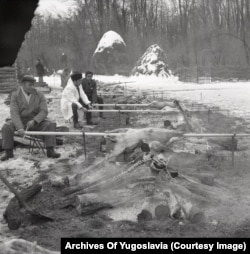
(192, 32)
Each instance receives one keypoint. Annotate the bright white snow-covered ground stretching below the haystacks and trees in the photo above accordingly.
(231, 96)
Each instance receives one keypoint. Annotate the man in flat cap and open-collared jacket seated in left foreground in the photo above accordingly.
(28, 110)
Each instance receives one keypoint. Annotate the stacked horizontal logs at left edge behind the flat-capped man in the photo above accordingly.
(8, 79)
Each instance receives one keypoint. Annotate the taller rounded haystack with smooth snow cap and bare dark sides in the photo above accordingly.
(110, 57)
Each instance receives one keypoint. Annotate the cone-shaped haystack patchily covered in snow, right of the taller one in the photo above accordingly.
(153, 62)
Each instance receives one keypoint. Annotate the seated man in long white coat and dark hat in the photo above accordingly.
(72, 96)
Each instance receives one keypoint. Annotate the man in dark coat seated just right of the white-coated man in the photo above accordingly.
(89, 87)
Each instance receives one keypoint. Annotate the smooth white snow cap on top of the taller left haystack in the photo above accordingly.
(110, 40)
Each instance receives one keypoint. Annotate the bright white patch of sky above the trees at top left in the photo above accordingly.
(56, 7)
